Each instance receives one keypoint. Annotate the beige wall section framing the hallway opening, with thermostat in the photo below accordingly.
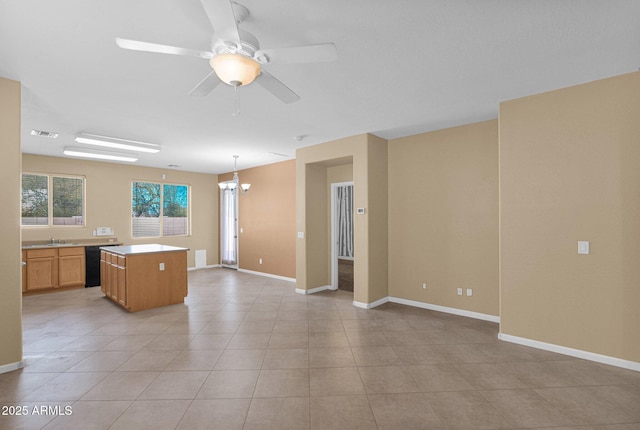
(369, 157)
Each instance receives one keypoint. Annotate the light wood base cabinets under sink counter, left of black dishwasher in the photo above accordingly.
(53, 268)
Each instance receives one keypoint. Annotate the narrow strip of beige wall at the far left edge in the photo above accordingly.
(10, 257)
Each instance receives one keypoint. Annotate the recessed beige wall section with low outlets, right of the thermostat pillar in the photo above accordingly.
(443, 217)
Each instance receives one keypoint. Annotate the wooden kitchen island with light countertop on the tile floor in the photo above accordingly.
(139, 277)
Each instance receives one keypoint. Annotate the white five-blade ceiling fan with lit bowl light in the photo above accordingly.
(235, 55)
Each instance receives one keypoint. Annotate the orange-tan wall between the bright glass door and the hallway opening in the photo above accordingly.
(266, 215)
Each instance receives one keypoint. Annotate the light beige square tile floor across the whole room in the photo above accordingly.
(247, 352)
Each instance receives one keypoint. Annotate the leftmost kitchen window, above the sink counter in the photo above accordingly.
(49, 200)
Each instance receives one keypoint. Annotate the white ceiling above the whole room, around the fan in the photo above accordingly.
(405, 67)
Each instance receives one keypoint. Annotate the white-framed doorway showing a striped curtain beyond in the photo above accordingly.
(342, 249)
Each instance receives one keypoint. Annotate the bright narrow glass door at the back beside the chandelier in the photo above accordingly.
(229, 226)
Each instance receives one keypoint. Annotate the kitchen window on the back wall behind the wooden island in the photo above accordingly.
(159, 209)
